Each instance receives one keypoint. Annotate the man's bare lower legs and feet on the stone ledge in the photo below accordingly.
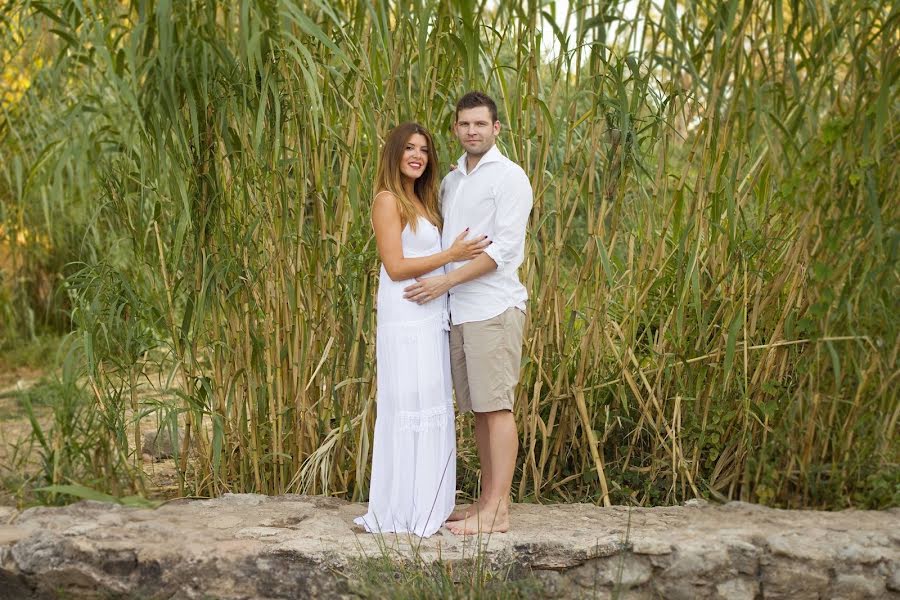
(493, 506)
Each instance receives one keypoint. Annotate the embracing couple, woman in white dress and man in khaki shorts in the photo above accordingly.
(450, 310)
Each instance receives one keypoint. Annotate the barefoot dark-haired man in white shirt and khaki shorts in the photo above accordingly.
(489, 194)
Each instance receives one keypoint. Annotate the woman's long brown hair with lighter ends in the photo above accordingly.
(389, 177)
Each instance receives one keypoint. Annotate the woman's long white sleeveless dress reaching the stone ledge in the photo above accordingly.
(414, 453)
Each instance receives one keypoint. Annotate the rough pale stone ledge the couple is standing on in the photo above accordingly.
(244, 546)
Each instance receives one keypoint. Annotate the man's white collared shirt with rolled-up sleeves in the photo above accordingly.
(495, 200)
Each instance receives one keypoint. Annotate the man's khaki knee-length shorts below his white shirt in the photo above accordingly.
(485, 359)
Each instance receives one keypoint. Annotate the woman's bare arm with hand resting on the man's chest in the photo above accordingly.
(388, 229)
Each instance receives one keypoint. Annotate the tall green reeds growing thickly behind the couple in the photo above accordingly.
(711, 258)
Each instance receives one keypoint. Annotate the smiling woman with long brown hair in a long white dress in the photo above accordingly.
(414, 453)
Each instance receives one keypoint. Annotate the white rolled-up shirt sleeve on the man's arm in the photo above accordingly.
(513, 200)
